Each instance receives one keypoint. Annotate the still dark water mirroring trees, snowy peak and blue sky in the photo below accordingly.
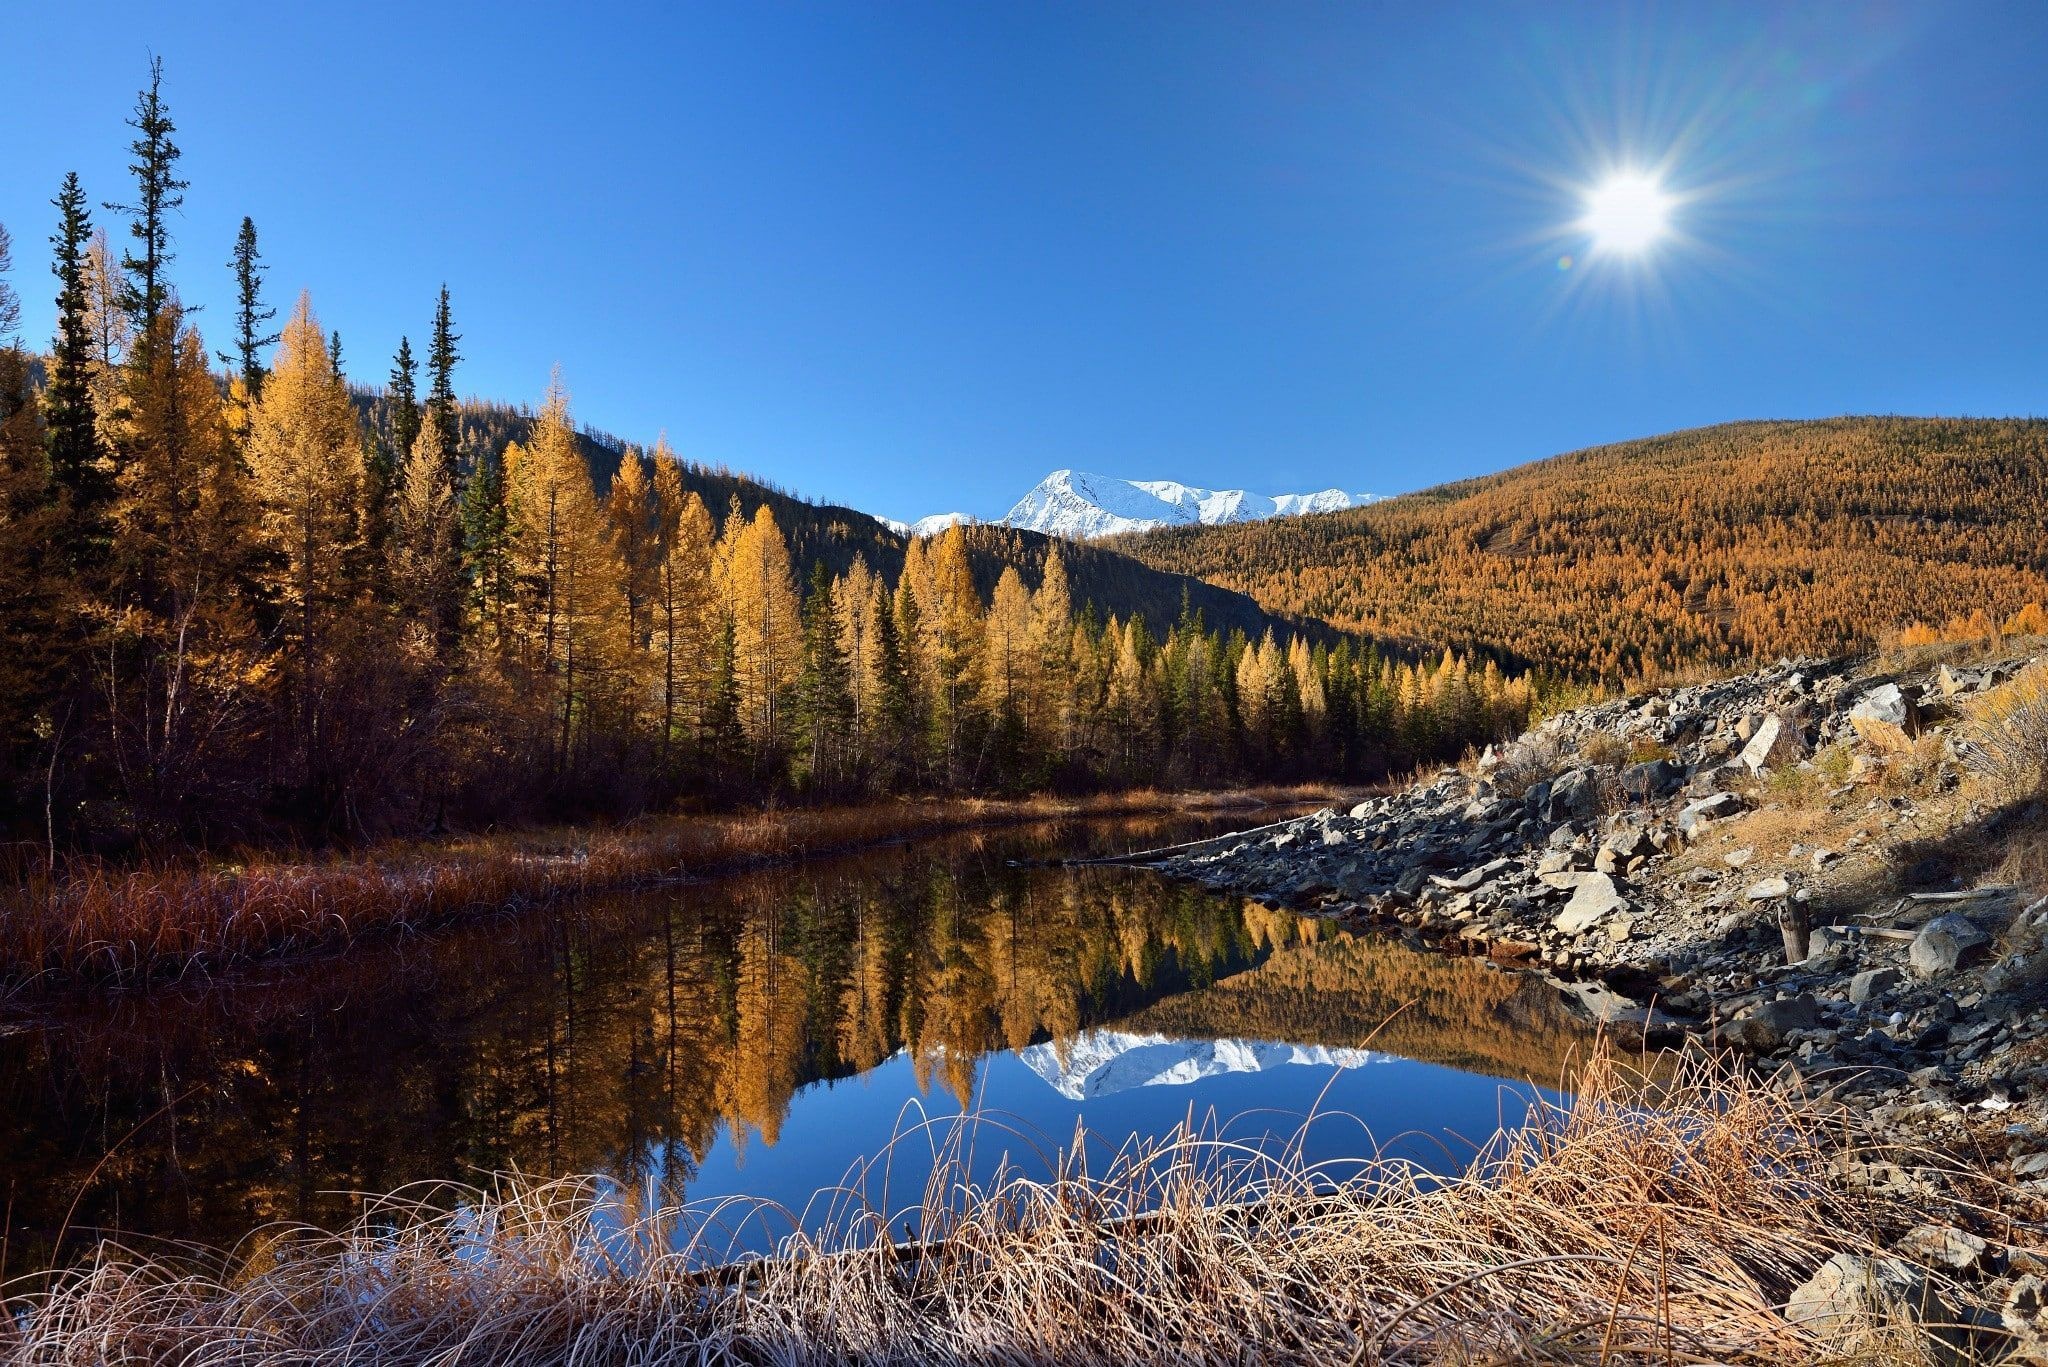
(763, 1036)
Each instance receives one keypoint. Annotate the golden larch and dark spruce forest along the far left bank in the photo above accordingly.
(247, 602)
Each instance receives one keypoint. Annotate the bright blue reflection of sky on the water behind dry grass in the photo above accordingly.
(1420, 1114)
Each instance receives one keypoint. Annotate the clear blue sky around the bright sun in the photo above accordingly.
(912, 255)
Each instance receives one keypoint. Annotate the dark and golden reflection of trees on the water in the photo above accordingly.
(630, 1034)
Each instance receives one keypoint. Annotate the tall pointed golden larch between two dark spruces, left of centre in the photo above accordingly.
(306, 466)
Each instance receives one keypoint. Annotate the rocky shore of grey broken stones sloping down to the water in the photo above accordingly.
(1805, 866)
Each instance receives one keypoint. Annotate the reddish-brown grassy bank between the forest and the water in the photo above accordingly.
(132, 925)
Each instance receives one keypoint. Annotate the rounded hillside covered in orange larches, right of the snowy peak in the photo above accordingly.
(1721, 544)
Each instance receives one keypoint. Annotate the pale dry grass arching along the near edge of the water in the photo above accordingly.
(1615, 1233)
